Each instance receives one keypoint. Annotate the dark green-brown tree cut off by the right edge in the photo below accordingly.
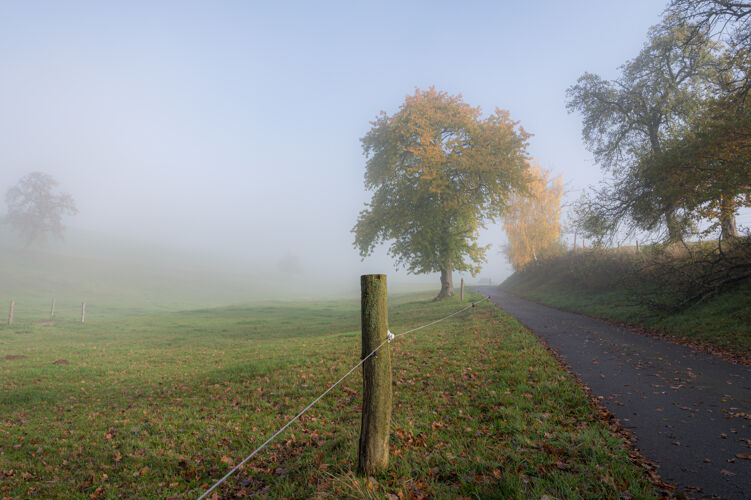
(709, 162)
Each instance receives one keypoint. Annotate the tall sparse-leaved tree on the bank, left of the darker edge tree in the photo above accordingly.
(658, 93)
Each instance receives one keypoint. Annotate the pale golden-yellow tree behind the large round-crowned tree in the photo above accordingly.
(532, 221)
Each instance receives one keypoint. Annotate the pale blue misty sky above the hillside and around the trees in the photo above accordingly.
(233, 127)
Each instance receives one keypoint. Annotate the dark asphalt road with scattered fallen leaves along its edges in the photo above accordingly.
(690, 412)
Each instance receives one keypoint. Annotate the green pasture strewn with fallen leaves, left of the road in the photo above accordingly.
(163, 405)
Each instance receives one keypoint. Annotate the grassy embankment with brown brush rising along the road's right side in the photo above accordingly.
(593, 282)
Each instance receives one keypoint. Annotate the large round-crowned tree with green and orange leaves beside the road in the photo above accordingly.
(439, 172)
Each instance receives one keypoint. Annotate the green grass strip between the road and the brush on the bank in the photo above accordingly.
(722, 320)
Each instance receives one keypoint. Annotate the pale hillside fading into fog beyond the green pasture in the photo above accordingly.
(117, 275)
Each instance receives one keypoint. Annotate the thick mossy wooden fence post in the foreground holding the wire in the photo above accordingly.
(373, 453)
